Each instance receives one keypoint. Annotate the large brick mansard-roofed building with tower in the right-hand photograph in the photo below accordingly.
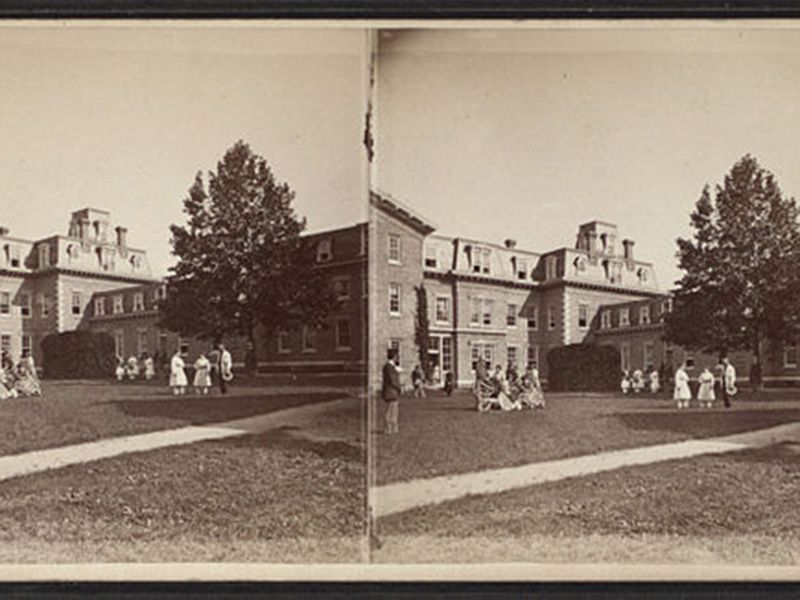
(506, 304)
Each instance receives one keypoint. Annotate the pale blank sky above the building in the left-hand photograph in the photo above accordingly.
(122, 118)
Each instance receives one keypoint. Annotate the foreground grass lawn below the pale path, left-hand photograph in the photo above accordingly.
(287, 495)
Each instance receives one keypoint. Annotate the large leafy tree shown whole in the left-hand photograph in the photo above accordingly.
(242, 263)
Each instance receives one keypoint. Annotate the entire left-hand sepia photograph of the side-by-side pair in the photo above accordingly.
(183, 290)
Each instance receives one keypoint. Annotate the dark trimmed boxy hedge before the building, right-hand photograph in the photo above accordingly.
(583, 368)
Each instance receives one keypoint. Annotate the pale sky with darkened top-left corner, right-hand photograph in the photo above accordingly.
(527, 134)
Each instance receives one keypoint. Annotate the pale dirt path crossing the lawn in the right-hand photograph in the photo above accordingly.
(398, 497)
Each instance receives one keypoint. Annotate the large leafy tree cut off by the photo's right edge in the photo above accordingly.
(741, 285)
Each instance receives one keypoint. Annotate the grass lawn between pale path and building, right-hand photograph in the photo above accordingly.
(441, 435)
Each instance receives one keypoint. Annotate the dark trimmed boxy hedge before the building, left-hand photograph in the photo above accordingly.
(78, 355)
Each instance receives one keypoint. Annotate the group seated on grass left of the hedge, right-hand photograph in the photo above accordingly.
(507, 390)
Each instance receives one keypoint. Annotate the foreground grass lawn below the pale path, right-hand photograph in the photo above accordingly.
(736, 507)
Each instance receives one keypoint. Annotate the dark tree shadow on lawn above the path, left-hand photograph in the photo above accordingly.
(198, 410)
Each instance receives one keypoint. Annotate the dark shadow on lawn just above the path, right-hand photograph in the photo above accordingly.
(709, 422)
